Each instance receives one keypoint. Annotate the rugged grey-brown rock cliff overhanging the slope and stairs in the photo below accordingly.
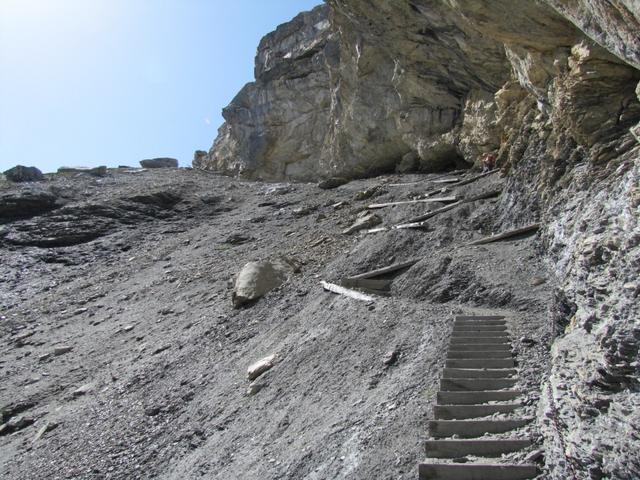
(549, 88)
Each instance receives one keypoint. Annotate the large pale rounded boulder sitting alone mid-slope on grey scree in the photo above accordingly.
(256, 279)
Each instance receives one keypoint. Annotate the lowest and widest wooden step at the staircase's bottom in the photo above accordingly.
(469, 471)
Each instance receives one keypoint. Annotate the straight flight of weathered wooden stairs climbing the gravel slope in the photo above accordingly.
(478, 381)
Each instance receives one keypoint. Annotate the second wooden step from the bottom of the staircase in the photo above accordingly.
(479, 448)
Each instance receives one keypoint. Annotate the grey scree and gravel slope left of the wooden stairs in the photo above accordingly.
(133, 272)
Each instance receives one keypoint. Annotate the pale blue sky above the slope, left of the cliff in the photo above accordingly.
(110, 82)
